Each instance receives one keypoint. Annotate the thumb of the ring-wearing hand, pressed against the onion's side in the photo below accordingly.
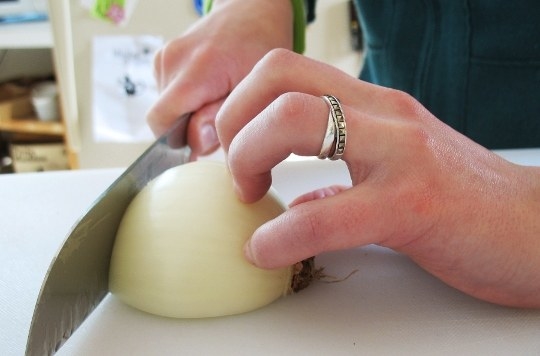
(309, 228)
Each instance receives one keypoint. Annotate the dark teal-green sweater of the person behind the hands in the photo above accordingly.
(475, 64)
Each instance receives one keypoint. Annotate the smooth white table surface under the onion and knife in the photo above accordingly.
(390, 306)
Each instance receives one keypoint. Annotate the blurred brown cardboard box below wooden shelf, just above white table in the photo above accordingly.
(39, 157)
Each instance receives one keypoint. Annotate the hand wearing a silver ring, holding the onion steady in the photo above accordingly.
(460, 211)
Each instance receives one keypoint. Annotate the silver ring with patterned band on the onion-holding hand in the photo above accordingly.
(335, 138)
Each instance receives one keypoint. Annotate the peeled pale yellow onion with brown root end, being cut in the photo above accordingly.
(179, 248)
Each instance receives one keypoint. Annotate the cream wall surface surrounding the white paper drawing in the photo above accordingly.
(74, 30)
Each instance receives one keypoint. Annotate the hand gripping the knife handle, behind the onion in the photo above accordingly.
(197, 71)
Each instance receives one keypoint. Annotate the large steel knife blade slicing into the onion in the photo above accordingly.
(78, 277)
